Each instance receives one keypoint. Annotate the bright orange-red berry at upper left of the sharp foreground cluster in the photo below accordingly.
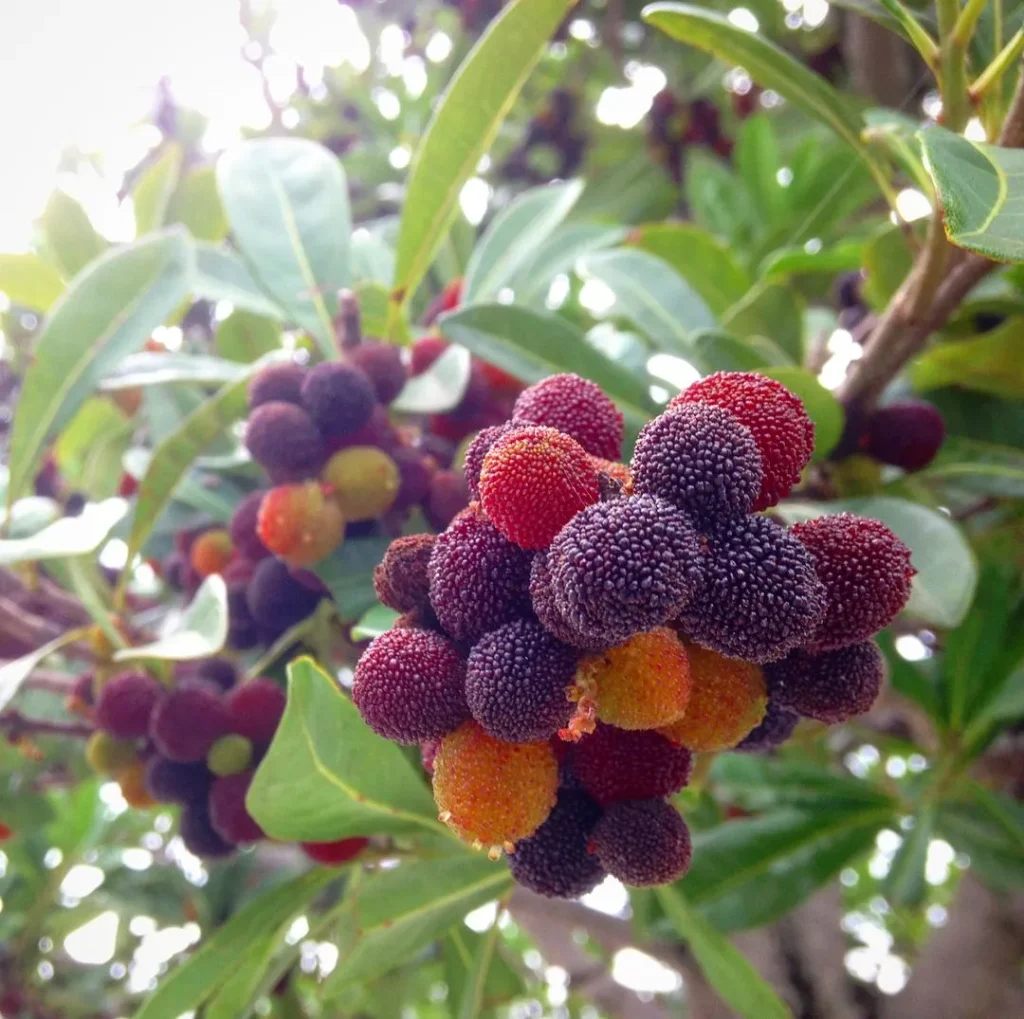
(534, 482)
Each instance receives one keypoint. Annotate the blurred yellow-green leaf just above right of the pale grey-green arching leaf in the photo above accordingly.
(701, 260)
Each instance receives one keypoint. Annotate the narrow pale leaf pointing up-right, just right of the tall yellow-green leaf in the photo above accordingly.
(514, 238)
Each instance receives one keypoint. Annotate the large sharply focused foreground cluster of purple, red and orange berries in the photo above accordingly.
(583, 627)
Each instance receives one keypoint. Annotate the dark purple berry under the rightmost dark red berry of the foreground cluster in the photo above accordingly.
(831, 688)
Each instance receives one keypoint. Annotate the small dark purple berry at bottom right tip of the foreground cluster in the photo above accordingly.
(644, 843)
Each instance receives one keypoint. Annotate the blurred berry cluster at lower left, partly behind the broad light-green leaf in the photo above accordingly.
(196, 744)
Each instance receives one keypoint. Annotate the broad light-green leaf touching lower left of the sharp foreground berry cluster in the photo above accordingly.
(328, 776)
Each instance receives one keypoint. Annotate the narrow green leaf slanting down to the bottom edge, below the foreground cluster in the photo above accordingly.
(740, 986)
